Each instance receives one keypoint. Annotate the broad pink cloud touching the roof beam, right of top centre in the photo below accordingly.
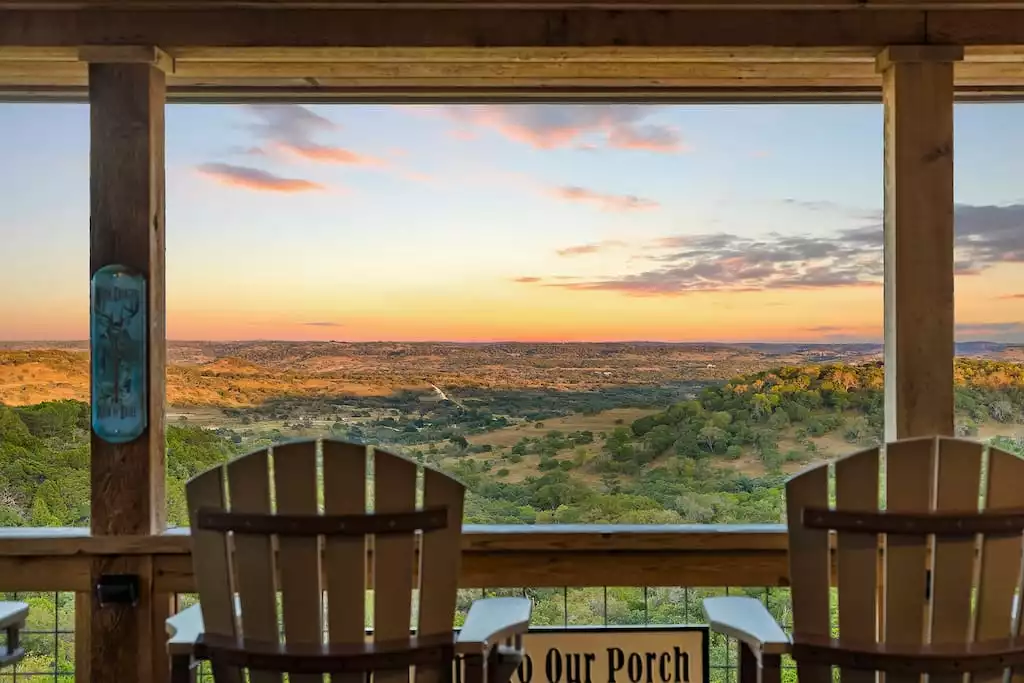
(582, 126)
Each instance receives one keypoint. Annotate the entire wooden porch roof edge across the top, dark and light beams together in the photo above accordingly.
(495, 50)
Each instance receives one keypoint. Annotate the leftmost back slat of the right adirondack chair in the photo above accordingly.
(809, 567)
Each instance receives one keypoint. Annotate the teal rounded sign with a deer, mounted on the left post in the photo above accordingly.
(118, 344)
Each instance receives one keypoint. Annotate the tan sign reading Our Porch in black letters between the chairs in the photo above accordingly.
(616, 655)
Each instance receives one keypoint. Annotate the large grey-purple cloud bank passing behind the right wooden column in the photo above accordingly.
(680, 265)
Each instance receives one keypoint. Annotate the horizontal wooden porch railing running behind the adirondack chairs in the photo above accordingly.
(49, 560)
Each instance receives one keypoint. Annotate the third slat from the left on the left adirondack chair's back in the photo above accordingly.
(298, 559)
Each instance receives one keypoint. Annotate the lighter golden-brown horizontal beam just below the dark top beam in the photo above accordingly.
(54, 78)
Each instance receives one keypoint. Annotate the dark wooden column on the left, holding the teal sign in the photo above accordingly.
(126, 99)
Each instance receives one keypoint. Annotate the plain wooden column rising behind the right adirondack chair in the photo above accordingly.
(918, 93)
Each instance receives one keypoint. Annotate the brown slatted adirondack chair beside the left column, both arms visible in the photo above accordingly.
(246, 549)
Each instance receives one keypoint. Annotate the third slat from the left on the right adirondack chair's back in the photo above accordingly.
(910, 484)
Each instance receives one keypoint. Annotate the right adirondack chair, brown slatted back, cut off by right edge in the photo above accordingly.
(926, 583)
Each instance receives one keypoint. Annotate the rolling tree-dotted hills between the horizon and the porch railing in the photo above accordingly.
(642, 447)
